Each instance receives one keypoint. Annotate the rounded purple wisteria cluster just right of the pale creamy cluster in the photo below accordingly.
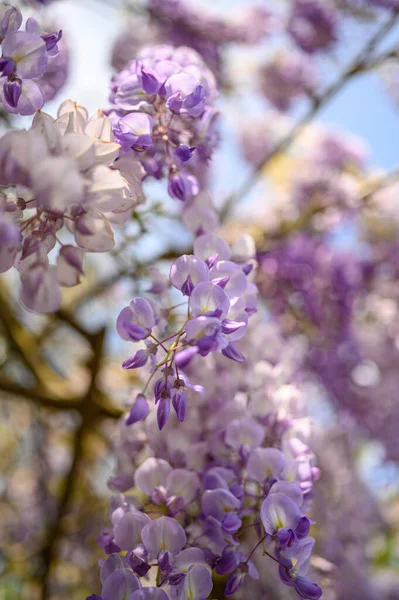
(163, 114)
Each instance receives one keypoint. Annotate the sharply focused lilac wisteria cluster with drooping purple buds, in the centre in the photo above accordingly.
(220, 300)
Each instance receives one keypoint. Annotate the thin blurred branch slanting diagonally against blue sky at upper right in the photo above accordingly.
(357, 66)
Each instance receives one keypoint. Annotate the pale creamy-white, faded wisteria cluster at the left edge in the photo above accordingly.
(61, 175)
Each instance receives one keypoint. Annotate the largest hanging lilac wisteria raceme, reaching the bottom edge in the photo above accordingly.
(196, 501)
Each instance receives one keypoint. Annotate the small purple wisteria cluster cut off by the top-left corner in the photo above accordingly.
(26, 55)
